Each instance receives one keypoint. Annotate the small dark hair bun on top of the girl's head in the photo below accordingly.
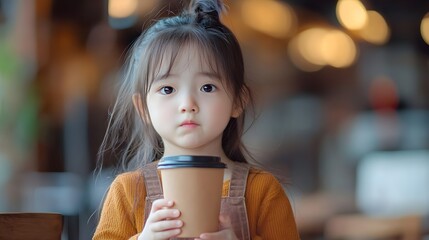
(207, 12)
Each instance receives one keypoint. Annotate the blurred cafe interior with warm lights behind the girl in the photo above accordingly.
(341, 94)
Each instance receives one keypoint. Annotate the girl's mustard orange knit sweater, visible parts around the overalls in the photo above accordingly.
(268, 208)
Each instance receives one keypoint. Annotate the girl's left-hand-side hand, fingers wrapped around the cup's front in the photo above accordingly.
(162, 222)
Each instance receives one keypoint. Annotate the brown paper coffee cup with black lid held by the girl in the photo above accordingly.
(194, 183)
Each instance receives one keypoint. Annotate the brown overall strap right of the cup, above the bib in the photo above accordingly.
(240, 172)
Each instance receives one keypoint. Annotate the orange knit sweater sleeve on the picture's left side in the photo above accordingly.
(117, 219)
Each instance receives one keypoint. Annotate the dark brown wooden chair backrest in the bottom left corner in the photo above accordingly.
(17, 226)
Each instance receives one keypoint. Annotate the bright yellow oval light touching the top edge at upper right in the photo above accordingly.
(351, 14)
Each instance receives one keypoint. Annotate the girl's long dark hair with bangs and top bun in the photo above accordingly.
(135, 140)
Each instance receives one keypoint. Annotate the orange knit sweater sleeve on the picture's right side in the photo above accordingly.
(275, 216)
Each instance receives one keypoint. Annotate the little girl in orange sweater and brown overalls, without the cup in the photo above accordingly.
(184, 94)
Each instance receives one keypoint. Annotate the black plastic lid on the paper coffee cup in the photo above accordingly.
(183, 161)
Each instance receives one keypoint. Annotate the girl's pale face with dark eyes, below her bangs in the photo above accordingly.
(189, 106)
